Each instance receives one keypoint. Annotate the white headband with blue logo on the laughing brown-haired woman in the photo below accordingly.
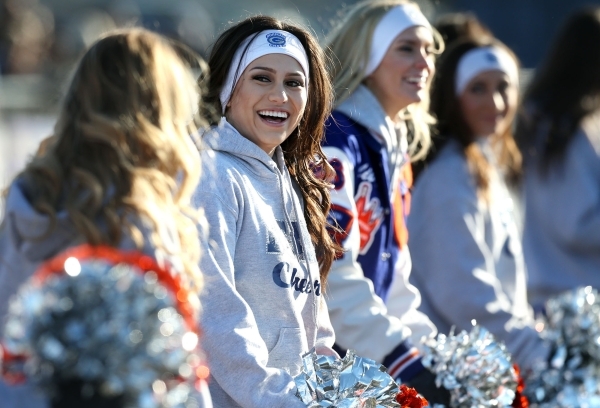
(265, 42)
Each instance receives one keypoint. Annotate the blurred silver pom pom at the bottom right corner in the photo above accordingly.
(572, 379)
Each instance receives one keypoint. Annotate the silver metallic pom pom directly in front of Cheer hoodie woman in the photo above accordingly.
(353, 382)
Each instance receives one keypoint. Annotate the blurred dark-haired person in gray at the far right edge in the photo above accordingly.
(559, 135)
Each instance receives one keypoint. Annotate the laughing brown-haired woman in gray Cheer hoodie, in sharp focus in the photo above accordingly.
(269, 251)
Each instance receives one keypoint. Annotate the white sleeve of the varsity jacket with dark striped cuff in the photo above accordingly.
(359, 317)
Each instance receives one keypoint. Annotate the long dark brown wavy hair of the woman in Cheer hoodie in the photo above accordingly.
(302, 149)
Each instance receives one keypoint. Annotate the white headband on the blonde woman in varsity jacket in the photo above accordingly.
(393, 23)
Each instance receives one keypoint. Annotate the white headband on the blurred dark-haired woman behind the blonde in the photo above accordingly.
(483, 59)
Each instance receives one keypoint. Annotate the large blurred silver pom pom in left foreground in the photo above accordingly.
(105, 324)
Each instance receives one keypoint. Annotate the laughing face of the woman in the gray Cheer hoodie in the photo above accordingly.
(268, 101)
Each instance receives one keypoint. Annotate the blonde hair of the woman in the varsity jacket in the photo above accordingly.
(348, 47)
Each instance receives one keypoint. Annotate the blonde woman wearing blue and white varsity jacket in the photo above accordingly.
(383, 57)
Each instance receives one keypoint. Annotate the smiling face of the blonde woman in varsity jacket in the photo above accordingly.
(402, 76)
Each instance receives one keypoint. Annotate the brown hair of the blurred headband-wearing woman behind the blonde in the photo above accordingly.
(452, 124)
